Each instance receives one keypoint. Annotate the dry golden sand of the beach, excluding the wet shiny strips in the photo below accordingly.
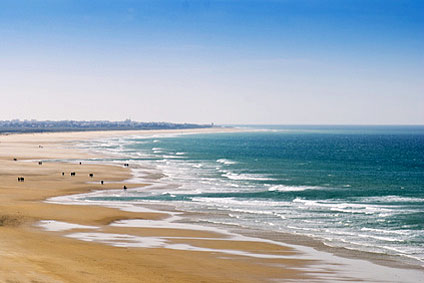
(30, 253)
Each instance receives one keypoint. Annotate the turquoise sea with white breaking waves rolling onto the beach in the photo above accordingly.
(360, 188)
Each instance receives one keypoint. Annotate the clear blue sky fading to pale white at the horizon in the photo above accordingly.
(227, 62)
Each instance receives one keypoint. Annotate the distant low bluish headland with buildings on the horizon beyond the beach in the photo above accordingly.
(31, 126)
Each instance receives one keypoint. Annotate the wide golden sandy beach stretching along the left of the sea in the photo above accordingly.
(36, 254)
